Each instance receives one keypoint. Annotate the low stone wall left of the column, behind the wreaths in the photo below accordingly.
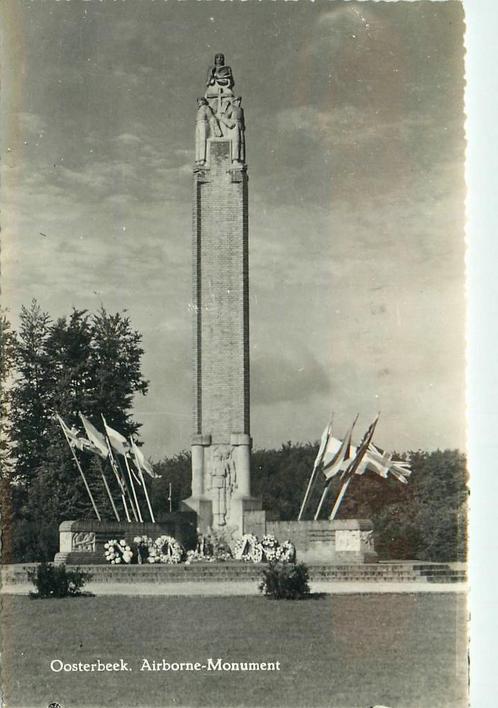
(82, 541)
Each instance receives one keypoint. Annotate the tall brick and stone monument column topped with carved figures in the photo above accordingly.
(221, 441)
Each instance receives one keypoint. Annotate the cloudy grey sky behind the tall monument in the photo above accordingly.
(355, 149)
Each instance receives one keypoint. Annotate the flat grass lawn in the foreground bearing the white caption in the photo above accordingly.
(342, 650)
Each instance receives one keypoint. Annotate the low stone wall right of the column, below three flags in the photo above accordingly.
(324, 541)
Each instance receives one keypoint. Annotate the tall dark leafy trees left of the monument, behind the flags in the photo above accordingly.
(82, 362)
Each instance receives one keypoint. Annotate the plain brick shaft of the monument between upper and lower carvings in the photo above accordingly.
(220, 295)
